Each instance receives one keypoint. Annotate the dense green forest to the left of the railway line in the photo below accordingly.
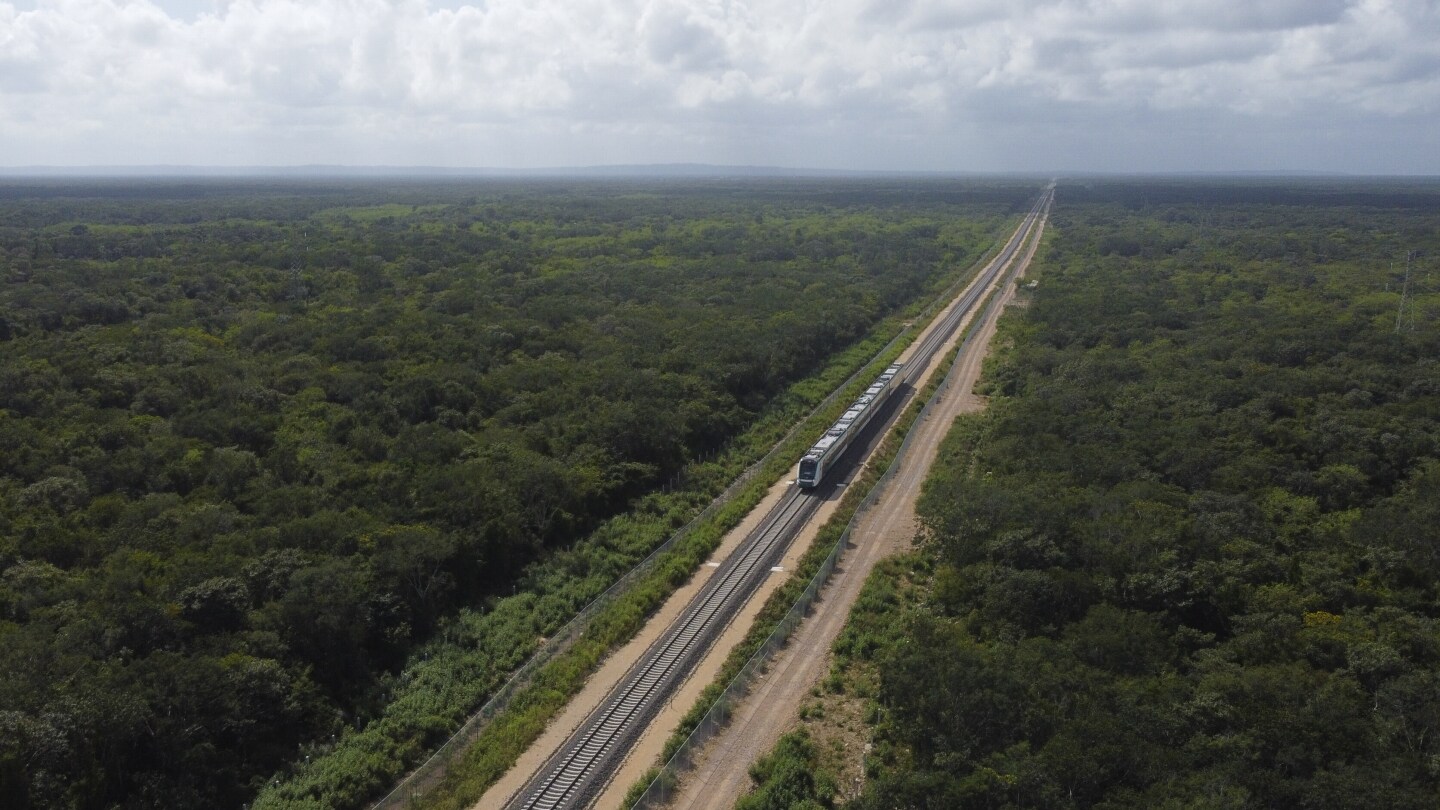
(263, 443)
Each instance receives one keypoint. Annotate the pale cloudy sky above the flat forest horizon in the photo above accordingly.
(964, 86)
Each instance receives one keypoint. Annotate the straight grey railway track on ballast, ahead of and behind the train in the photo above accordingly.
(577, 773)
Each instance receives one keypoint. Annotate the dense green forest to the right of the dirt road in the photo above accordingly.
(1190, 556)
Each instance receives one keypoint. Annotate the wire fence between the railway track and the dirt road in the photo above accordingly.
(666, 783)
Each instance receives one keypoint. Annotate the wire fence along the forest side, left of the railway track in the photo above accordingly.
(413, 789)
